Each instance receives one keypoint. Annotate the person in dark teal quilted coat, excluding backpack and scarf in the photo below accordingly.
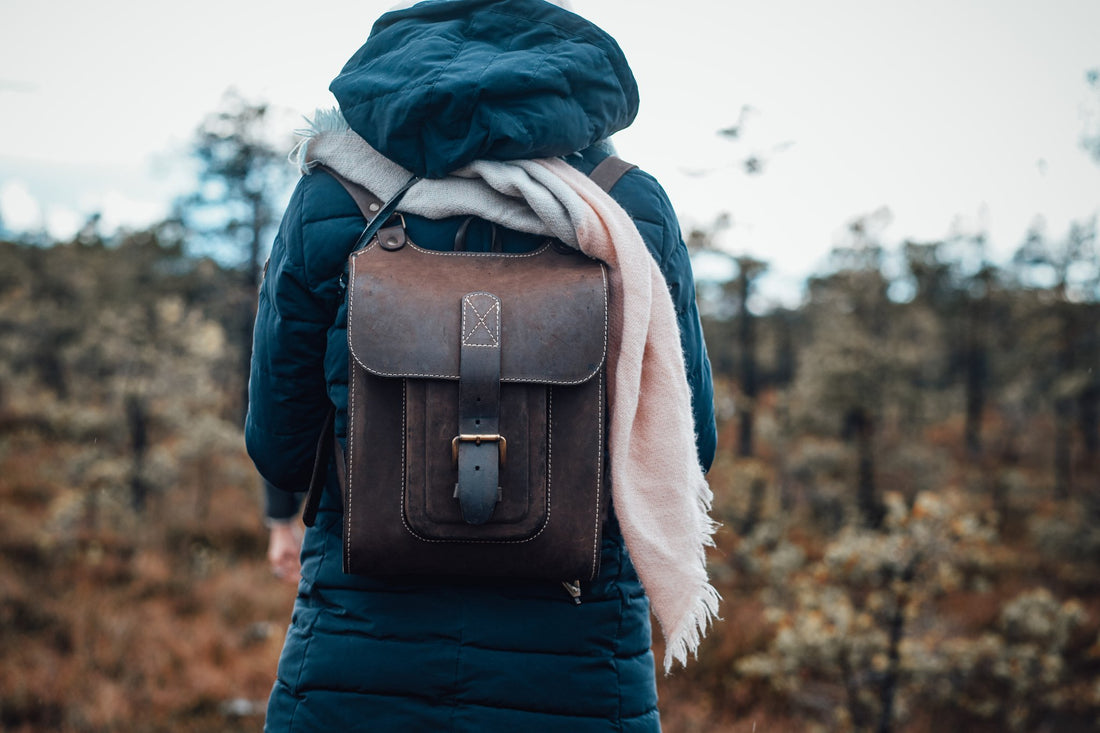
(441, 85)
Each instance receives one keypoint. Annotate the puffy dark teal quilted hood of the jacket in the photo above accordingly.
(445, 83)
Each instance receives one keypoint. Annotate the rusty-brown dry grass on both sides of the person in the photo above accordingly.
(170, 621)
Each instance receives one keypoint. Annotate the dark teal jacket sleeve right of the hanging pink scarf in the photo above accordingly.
(644, 199)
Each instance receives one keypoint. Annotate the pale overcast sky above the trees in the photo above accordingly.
(953, 114)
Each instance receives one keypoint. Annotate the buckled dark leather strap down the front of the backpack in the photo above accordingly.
(479, 448)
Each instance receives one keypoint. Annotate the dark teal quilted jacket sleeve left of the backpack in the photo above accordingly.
(288, 398)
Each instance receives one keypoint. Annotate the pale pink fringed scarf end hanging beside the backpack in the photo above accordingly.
(662, 498)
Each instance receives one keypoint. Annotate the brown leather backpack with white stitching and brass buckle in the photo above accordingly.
(477, 408)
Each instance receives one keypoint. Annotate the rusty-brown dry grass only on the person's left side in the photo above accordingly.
(112, 625)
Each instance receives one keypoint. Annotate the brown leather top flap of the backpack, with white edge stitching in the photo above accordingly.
(548, 304)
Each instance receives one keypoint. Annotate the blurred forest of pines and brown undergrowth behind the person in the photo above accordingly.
(908, 479)
